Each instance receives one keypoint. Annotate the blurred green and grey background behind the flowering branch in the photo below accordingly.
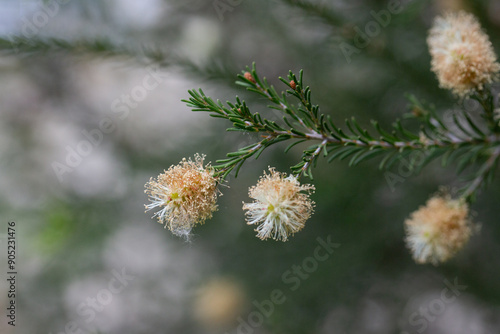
(83, 128)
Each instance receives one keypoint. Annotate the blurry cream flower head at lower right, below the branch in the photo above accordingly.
(438, 230)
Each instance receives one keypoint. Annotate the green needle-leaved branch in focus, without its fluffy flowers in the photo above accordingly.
(460, 141)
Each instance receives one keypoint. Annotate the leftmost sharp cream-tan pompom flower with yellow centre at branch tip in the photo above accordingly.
(185, 194)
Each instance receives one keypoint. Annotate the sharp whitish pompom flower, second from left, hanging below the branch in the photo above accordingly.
(281, 207)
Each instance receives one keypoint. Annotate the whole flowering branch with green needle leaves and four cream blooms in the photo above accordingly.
(464, 62)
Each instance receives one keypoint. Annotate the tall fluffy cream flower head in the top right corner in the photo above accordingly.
(462, 55)
